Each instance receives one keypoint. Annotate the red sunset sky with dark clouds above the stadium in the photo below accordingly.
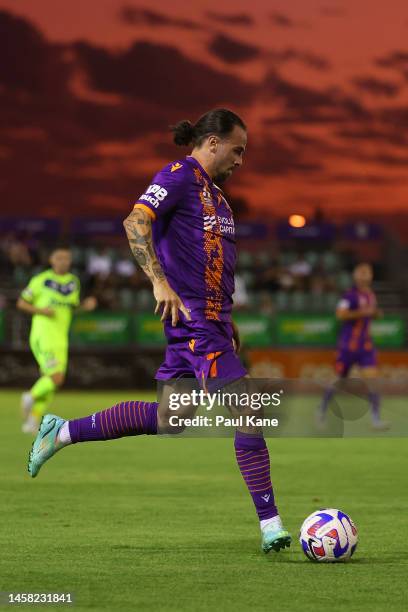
(88, 88)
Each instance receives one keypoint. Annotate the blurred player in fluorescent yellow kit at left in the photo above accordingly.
(50, 298)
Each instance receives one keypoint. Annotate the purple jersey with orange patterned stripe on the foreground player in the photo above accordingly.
(194, 237)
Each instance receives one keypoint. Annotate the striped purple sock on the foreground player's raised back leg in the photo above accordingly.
(124, 419)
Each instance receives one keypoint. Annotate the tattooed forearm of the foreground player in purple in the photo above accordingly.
(138, 227)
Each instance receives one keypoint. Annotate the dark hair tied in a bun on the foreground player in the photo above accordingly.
(219, 121)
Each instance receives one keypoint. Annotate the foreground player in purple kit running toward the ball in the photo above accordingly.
(181, 232)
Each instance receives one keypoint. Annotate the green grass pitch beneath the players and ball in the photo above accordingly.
(152, 523)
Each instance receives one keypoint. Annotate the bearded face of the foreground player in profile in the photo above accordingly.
(228, 153)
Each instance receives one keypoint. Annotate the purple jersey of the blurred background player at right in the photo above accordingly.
(355, 334)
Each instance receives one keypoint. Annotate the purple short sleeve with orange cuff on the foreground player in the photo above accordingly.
(165, 191)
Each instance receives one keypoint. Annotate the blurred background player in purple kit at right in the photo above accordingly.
(356, 310)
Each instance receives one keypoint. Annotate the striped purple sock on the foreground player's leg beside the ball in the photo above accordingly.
(253, 461)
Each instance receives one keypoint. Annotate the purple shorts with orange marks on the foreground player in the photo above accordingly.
(202, 350)
